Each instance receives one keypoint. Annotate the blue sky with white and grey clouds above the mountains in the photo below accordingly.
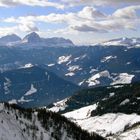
(82, 21)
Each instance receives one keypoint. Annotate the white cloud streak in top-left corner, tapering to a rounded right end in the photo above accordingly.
(42, 3)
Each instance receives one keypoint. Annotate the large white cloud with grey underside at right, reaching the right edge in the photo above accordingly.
(124, 18)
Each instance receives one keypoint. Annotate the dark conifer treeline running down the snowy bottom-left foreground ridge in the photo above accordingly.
(58, 126)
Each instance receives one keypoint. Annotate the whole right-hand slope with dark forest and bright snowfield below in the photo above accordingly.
(112, 111)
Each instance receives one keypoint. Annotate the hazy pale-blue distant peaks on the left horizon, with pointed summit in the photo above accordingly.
(32, 40)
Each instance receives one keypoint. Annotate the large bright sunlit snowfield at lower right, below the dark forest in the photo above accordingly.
(108, 125)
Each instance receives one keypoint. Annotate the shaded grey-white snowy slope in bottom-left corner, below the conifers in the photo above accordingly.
(12, 129)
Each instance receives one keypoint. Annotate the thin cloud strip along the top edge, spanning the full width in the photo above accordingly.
(61, 3)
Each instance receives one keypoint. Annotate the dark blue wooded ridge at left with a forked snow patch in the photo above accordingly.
(33, 86)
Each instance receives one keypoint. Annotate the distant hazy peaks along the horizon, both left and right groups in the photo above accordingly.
(34, 40)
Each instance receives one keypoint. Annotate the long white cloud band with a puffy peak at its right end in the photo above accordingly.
(87, 13)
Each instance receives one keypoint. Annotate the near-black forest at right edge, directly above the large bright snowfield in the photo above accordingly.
(130, 92)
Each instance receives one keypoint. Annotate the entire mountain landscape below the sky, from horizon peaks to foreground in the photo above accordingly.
(96, 87)
